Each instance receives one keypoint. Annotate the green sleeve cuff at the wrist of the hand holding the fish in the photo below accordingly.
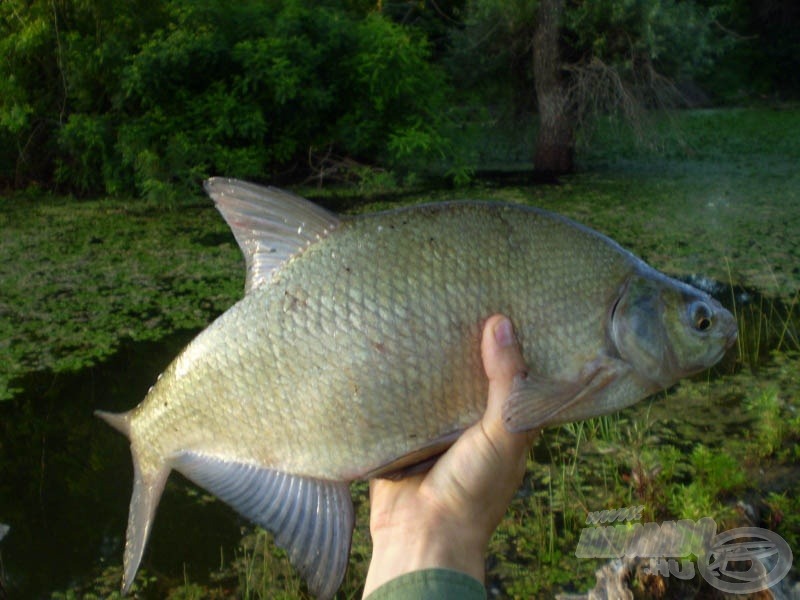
(430, 584)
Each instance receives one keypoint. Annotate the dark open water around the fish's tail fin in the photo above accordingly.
(66, 478)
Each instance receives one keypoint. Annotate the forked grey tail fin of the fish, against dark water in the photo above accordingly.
(149, 477)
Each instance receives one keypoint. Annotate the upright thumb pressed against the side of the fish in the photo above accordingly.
(502, 361)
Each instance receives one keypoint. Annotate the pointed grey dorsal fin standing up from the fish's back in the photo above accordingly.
(270, 225)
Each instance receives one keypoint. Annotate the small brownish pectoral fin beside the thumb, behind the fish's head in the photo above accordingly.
(536, 402)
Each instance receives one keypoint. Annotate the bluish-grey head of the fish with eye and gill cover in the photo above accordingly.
(667, 330)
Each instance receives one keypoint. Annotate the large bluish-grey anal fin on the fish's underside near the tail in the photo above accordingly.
(312, 519)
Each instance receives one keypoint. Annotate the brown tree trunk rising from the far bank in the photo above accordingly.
(555, 144)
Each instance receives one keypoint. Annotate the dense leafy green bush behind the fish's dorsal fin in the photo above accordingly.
(252, 90)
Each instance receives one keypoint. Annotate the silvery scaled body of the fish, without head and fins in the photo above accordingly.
(365, 346)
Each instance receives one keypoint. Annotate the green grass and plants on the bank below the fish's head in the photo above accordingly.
(638, 457)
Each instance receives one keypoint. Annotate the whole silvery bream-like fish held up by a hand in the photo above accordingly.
(355, 354)
